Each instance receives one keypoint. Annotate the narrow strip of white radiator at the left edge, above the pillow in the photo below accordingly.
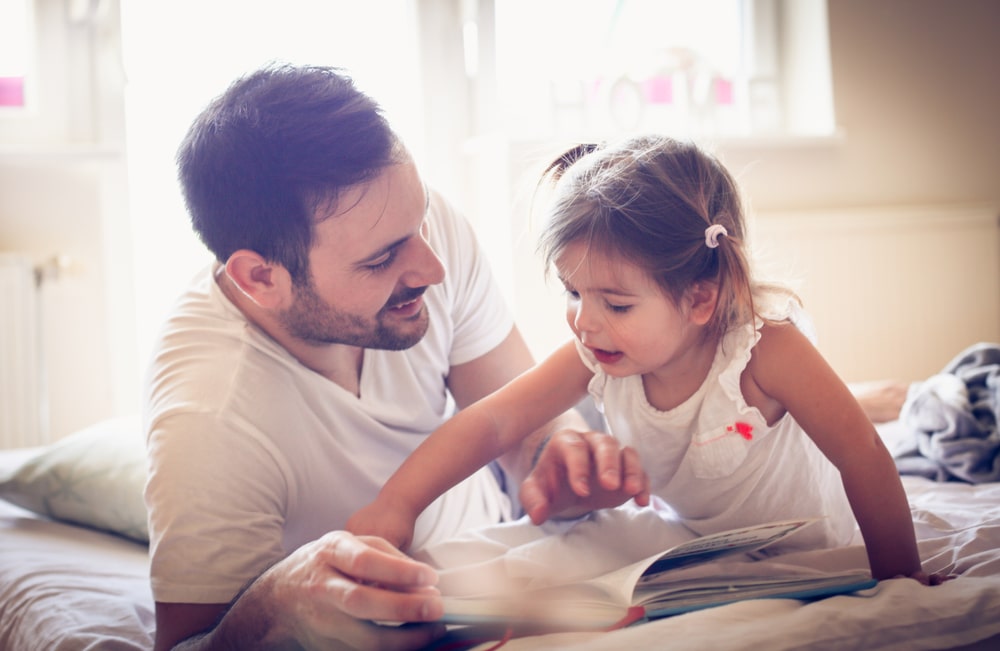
(22, 396)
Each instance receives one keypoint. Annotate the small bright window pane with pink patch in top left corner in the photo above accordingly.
(16, 46)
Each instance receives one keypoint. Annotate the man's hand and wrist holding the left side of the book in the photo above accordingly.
(329, 594)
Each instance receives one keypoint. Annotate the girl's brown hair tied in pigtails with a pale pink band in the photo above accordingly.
(649, 201)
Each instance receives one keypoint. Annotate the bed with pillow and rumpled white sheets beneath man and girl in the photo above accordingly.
(73, 565)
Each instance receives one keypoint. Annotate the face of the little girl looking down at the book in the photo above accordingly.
(621, 315)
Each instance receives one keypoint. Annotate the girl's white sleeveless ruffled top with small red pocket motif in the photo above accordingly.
(702, 464)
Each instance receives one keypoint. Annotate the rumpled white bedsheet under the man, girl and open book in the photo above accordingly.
(67, 588)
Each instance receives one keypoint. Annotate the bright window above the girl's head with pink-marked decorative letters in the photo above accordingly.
(596, 69)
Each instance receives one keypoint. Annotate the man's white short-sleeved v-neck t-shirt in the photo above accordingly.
(252, 454)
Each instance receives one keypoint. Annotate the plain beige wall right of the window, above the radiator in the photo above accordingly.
(916, 93)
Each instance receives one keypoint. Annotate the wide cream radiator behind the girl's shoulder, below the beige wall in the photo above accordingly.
(894, 292)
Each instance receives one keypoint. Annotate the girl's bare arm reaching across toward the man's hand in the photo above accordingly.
(472, 438)
